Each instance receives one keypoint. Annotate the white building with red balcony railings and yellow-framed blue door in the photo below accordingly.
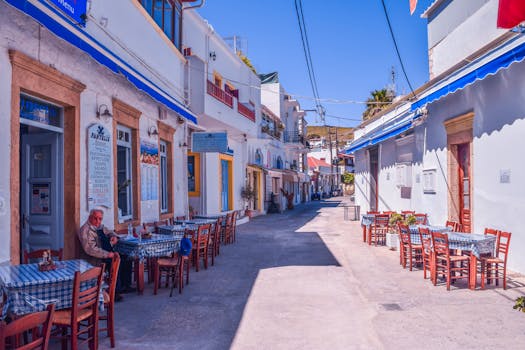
(231, 106)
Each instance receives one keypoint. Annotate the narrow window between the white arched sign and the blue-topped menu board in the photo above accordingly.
(124, 174)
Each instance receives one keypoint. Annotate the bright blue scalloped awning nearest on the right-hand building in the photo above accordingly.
(516, 54)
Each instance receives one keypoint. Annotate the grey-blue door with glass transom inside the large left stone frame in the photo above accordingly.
(41, 176)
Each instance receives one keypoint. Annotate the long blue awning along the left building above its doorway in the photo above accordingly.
(73, 34)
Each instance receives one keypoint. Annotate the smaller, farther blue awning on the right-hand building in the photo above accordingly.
(382, 133)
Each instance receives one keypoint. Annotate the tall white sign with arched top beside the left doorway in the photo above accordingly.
(99, 167)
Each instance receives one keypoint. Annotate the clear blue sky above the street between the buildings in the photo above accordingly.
(351, 47)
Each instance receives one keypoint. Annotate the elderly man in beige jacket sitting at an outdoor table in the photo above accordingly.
(97, 243)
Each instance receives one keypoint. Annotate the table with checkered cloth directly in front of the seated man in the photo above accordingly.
(158, 245)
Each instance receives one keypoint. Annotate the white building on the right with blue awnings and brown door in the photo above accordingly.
(452, 151)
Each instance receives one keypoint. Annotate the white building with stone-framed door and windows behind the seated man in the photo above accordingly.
(93, 117)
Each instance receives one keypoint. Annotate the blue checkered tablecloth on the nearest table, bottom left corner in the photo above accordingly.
(30, 290)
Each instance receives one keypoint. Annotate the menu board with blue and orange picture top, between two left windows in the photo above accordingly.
(149, 170)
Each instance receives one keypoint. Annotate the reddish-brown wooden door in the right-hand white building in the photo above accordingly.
(464, 178)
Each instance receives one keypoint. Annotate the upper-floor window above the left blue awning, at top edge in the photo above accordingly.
(167, 14)
